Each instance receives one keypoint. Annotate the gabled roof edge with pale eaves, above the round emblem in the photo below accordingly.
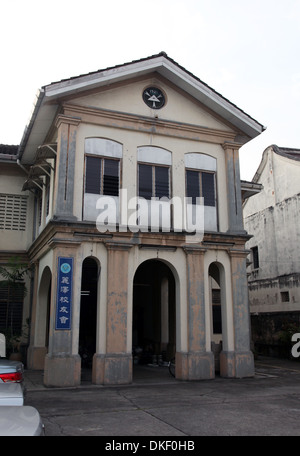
(44, 112)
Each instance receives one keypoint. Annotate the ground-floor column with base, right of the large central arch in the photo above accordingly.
(198, 363)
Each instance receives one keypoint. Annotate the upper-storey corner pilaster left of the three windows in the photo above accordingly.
(65, 168)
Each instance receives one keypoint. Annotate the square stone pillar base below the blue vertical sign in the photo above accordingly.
(62, 370)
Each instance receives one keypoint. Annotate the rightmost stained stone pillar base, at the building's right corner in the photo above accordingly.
(236, 364)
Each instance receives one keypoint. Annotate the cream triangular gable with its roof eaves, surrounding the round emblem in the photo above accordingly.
(189, 100)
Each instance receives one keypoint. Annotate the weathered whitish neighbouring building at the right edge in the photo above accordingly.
(272, 218)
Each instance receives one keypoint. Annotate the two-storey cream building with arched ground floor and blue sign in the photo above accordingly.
(118, 274)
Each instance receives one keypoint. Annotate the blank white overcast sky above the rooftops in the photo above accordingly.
(247, 50)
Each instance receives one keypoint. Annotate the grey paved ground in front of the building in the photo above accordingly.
(157, 405)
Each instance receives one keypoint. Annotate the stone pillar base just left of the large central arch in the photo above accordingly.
(112, 369)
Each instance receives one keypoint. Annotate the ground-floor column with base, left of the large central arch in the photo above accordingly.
(115, 366)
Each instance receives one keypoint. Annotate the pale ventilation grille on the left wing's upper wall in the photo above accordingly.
(13, 210)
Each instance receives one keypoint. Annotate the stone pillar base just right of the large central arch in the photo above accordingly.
(195, 366)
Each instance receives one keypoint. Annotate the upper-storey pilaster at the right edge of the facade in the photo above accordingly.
(234, 193)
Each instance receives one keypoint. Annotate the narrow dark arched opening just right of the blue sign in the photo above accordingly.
(88, 313)
